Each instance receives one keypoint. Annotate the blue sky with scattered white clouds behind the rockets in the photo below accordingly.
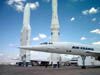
(79, 22)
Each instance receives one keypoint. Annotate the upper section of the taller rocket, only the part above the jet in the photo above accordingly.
(54, 22)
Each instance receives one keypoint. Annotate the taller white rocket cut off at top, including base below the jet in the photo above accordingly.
(54, 58)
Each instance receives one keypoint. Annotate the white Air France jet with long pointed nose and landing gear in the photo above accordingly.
(67, 48)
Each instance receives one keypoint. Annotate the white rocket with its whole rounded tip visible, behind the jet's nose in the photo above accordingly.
(25, 34)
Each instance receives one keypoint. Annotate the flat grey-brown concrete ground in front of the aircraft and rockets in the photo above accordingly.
(37, 70)
